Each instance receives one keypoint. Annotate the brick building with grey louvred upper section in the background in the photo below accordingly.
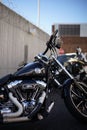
(73, 35)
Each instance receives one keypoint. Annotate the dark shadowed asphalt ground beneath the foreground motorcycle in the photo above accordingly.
(59, 119)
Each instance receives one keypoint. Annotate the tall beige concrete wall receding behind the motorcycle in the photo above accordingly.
(19, 40)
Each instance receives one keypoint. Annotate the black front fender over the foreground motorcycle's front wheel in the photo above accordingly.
(66, 85)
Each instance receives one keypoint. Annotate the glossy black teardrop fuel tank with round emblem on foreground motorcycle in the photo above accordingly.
(31, 70)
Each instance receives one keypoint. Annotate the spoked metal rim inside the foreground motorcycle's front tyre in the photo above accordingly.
(79, 99)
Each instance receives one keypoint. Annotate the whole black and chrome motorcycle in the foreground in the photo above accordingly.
(24, 95)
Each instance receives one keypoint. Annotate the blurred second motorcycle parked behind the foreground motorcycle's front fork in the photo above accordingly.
(78, 68)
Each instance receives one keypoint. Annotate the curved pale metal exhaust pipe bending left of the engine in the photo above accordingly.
(19, 106)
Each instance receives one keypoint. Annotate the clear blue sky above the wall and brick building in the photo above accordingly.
(51, 11)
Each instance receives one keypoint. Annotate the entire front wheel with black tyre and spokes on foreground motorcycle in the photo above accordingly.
(76, 101)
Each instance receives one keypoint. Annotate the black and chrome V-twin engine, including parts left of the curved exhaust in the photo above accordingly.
(26, 92)
